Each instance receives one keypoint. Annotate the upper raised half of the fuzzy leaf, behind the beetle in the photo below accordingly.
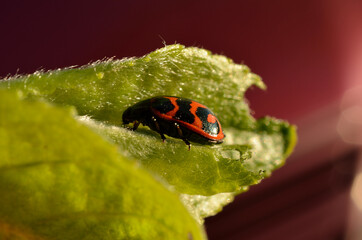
(103, 90)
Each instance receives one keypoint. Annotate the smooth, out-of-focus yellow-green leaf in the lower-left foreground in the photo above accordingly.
(60, 180)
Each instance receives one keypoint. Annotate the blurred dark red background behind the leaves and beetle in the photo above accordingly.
(309, 54)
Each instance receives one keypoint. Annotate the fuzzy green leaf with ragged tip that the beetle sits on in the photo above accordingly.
(103, 90)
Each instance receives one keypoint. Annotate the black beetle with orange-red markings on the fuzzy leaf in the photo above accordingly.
(176, 117)
